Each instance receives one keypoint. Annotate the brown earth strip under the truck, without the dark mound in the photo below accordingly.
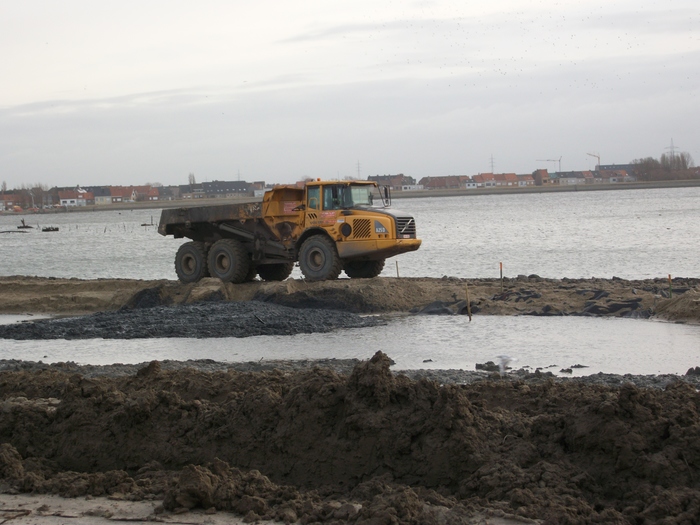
(518, 296)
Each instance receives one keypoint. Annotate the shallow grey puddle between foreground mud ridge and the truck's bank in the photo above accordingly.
(606, 345)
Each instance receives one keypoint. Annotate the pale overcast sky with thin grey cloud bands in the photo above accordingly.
(133, 92)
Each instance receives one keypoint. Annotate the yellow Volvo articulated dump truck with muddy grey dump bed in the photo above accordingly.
(327, 226)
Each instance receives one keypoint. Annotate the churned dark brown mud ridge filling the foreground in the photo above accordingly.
(368, 447)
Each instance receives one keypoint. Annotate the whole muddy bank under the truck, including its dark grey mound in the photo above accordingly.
(127, 309)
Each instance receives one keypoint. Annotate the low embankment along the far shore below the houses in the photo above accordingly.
(412, 194)
